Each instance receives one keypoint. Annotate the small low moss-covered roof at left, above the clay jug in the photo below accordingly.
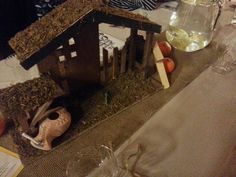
(27, 97)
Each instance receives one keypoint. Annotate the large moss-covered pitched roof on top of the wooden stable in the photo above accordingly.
(48, 33)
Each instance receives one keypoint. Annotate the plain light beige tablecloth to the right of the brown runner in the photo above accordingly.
(193, 134)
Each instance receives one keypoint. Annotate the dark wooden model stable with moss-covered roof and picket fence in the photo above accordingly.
(79, 61)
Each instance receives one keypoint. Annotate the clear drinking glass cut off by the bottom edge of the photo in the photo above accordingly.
(95, 162)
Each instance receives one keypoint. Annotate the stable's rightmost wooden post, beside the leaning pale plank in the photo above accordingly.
(147, 52)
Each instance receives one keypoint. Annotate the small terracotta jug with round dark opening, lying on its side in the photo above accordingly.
(52, 127)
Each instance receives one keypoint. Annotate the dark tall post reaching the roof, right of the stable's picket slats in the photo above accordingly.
(132, 48)
